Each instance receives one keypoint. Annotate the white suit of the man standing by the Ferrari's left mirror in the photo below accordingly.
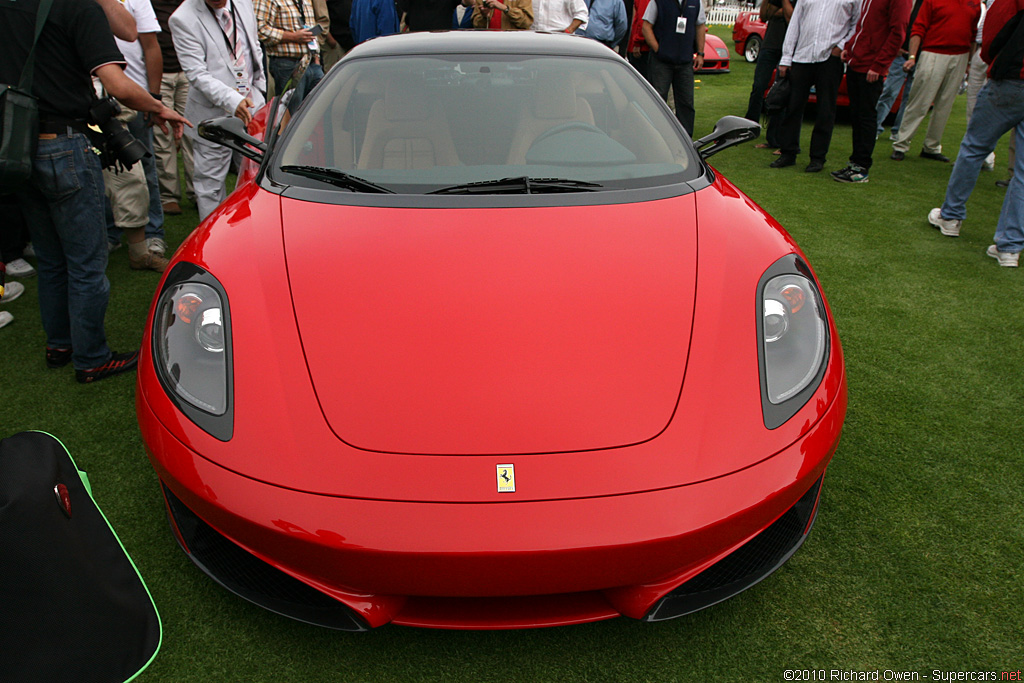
(203, 51)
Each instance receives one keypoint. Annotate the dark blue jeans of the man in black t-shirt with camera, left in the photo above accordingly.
(64, 205)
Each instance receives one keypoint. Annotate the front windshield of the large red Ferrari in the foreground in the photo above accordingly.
(483, 124)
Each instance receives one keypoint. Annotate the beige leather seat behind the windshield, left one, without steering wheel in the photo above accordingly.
(408, 130)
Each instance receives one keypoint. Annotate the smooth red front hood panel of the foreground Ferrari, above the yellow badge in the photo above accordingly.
(494, 331)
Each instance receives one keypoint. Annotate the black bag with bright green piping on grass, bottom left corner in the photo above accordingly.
(73, 607)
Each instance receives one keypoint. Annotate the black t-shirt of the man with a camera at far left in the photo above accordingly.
(75, 41)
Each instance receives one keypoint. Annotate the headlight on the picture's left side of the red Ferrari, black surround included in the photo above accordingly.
(192, 348)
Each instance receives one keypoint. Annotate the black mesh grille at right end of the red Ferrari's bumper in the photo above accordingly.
(746, 567)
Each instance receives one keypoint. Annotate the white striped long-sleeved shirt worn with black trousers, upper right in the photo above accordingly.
(818, 27)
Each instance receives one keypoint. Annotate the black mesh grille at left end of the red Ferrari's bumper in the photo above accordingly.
(252, 579)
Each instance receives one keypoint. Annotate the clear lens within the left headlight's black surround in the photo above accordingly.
(190, 340)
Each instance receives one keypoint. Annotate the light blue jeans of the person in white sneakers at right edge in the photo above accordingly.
(1000, 108)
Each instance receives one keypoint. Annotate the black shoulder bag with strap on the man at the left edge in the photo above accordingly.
(20, 118)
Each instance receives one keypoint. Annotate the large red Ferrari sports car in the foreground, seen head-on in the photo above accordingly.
(486, 344)
